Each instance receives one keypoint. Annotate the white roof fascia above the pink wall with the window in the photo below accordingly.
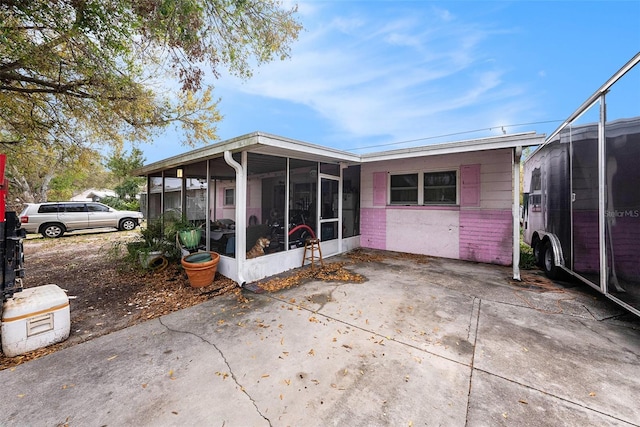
(492, 143)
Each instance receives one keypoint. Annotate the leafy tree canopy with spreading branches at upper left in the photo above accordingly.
(80, 74)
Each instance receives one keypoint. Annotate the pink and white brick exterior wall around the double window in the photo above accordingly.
(478, 229)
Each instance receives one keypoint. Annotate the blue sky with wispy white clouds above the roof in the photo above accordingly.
(369, 75)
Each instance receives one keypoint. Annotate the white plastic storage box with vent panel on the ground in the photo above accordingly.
(35, 318)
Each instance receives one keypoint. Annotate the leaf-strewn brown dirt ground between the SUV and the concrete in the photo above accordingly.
(105, 295)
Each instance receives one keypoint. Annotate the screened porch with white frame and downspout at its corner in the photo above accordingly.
(260, 186)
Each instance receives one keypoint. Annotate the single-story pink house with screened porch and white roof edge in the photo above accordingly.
(456, 200)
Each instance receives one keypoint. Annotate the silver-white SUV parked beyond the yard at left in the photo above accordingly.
(53, 219)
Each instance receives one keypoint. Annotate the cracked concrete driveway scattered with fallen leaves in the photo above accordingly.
(443, 343)
